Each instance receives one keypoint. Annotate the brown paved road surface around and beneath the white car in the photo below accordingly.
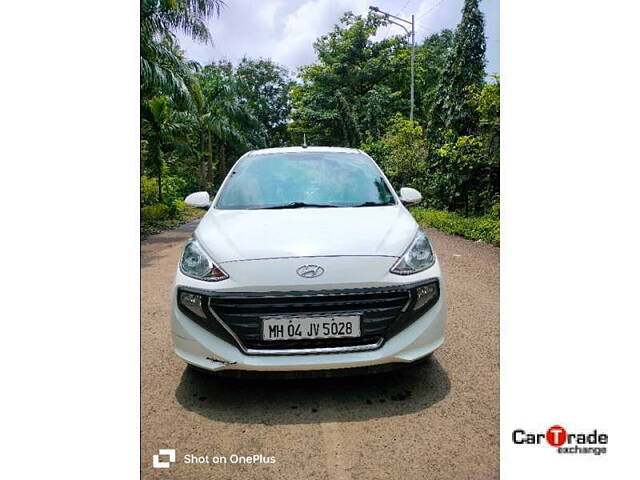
(439, 420)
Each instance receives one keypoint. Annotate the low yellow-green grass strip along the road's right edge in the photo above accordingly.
(485, 228)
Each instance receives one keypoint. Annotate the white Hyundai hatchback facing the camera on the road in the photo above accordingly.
(307, 259)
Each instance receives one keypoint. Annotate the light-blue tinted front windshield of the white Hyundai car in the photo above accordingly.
(305, 179)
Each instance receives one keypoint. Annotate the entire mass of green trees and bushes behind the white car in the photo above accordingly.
(195, 121)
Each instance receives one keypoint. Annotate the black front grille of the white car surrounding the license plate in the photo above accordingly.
(384, 311)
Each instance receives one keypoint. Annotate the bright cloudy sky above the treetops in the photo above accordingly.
(284, 30)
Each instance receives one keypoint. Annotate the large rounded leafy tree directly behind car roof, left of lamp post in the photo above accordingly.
(346, 96)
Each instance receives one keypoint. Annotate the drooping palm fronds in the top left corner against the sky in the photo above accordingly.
(162, 67)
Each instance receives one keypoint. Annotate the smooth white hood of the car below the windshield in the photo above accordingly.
(230, 235)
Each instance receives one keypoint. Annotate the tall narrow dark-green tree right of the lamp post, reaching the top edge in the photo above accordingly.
(464, 68)
